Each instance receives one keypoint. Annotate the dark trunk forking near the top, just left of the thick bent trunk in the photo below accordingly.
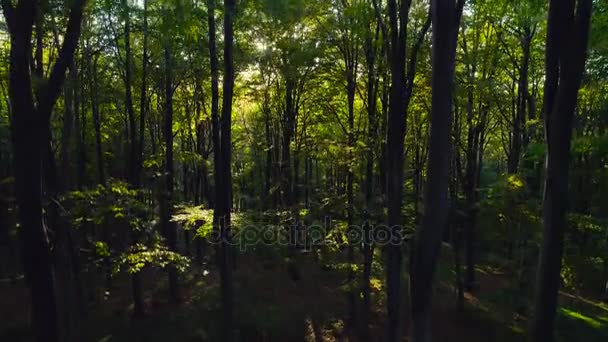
(402, 81)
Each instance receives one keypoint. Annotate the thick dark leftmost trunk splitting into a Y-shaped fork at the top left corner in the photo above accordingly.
(29, 127)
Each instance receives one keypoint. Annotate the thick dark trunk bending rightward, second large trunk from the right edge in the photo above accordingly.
(446, 16)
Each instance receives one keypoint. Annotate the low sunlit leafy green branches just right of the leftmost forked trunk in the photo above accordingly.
(120, 214)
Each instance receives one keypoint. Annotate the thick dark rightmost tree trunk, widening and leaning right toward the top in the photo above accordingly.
(565, 54)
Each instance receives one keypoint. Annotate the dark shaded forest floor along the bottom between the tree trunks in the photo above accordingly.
(275, 304)
